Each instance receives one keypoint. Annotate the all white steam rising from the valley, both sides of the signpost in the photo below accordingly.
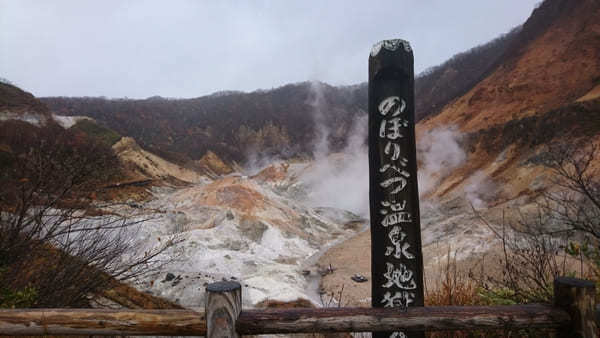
(341, 180)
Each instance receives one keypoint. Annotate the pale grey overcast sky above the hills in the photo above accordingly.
(193, 48)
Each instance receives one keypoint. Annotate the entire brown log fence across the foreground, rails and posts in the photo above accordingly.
(572, 315)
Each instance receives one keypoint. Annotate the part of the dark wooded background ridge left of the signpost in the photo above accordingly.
(279, 121)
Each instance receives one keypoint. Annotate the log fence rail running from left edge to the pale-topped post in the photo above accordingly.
(37, 322)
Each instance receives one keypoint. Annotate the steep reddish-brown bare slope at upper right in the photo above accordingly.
(545, 91)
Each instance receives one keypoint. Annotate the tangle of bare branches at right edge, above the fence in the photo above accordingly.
(538, 247)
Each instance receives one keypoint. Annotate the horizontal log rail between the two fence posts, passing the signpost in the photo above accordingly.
(415, 319)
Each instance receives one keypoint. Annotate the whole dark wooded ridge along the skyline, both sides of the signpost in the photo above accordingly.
(283, 121)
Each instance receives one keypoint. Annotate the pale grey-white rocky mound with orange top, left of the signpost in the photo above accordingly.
(256, 230)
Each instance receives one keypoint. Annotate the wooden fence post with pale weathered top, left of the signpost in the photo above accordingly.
(223, 306)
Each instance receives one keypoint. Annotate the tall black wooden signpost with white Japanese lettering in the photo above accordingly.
(396, 259)
